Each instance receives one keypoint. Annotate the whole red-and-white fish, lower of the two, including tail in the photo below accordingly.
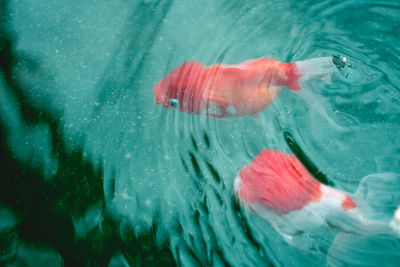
(278, 188)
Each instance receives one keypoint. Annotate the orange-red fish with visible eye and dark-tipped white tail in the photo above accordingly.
(228, 90)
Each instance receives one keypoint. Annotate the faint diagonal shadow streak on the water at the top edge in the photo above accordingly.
(137, 38)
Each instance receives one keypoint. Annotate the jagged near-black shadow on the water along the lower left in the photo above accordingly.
(45, 208)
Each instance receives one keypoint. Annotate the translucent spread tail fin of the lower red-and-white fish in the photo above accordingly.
(376, 239)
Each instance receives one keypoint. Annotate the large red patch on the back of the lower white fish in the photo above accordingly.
(278, 181)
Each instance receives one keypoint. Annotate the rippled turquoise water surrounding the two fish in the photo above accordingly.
(94, 173)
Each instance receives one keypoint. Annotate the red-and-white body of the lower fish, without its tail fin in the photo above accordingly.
(277, 187)
